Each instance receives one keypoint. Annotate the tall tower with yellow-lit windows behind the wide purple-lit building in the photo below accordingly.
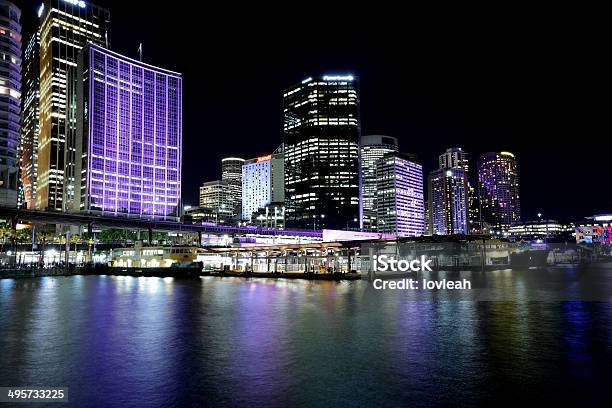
(66, 26)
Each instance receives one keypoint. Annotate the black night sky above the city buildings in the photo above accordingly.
(431, 82)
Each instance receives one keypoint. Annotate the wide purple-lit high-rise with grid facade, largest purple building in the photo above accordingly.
(128, 137)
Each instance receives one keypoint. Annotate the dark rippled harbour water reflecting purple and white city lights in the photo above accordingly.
(132, 342)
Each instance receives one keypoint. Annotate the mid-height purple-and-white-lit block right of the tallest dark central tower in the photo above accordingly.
(400, 204)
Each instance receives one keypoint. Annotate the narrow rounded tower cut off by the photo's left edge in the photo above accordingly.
(10, 101)
